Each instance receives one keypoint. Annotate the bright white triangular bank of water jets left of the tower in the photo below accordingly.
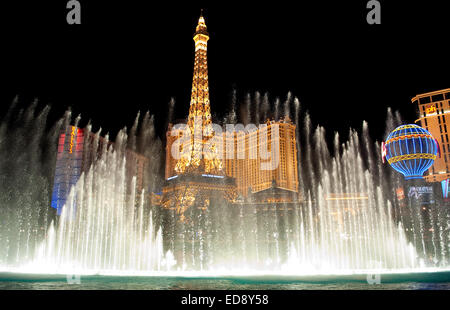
(105, 225)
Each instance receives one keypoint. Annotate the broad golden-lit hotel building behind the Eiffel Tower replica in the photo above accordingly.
(244, 160)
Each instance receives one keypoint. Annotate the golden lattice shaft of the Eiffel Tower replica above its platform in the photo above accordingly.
(201, 155)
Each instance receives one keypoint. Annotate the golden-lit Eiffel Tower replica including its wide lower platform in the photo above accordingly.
(200, 177)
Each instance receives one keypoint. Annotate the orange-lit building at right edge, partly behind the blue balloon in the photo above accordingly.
(434, 115)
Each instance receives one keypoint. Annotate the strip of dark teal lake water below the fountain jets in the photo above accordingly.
(423, 281)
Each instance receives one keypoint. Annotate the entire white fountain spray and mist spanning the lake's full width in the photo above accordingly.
(107, 226)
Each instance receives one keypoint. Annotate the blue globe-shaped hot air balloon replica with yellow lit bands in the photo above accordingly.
(410, 150)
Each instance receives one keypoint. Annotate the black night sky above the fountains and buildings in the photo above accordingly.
(133, 55)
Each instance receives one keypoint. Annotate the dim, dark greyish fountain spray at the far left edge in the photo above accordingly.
(27, 151)
